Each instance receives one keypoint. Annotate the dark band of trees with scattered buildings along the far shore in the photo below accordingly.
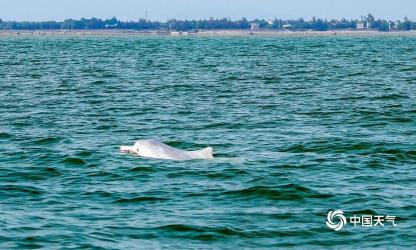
(366, 22)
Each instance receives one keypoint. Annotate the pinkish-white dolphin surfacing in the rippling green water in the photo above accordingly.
(155, 149)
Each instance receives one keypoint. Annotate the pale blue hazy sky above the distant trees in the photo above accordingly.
(37, 10)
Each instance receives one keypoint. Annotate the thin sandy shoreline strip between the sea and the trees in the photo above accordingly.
(227, 32)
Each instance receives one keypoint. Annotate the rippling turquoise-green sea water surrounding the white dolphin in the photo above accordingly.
(300, 126)
